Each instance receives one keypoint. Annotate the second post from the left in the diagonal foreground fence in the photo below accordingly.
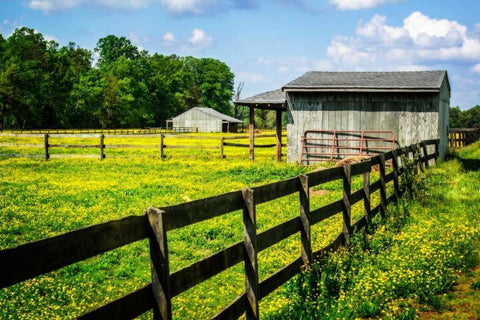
(250, 256)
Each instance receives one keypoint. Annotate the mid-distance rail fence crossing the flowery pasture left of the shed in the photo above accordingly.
(161, 146)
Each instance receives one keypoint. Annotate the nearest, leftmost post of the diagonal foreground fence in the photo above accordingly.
(162, 307)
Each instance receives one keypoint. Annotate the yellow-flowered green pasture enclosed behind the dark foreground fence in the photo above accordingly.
(40, 199)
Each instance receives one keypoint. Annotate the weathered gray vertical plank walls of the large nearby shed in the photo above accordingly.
(412, 116)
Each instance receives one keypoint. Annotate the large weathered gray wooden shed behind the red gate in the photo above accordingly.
(414, 106)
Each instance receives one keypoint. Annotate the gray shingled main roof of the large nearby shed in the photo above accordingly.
(410, 81)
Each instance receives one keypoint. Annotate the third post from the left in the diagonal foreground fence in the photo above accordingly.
(307, 255)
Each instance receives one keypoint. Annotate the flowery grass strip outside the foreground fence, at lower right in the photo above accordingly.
(410, 263)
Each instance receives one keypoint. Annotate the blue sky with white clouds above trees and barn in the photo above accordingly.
(268, 43)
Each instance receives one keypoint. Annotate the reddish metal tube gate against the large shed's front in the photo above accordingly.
(322, 145)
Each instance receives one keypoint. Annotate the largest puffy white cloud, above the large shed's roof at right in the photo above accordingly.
(418, 41)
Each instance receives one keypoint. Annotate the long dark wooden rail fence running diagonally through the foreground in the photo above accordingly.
(36, 258)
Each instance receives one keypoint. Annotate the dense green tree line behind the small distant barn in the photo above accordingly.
(43, 85)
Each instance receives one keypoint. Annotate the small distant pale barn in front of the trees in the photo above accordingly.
(206, 120)
